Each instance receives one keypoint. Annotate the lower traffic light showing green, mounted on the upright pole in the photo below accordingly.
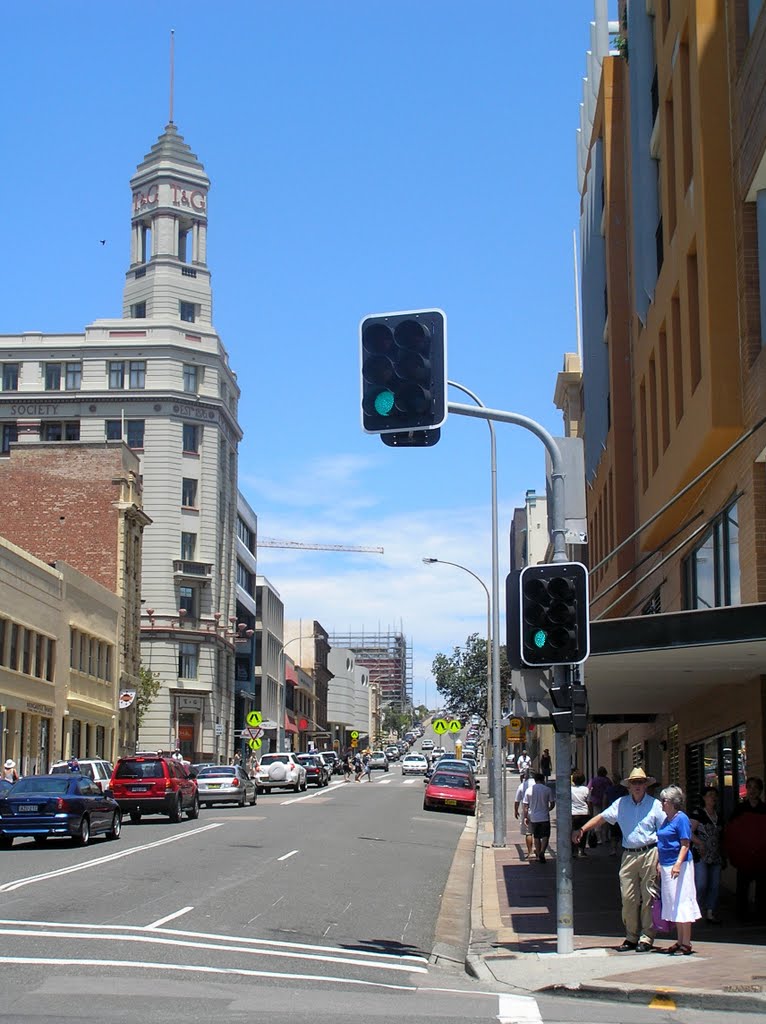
(554, 614)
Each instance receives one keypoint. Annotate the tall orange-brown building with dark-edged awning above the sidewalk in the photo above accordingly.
(672, 161)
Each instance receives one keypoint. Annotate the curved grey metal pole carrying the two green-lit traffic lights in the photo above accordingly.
(565, 898)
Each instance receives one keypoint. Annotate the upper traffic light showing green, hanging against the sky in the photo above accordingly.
(404, 374)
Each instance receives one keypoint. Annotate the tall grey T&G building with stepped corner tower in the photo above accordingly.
(158, 378)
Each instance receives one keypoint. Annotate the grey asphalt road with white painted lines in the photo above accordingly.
(320, 907)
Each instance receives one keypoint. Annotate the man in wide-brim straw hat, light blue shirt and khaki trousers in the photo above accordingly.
(640, 817)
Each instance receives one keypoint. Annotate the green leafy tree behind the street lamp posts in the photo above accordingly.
(461, 679)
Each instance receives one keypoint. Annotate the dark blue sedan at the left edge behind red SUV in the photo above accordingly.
(67, 806)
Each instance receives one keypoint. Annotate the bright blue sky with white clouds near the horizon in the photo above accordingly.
(365, 156)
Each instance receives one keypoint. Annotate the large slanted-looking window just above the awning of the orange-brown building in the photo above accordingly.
(712, 572)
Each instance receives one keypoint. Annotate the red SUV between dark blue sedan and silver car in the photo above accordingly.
(147, 784)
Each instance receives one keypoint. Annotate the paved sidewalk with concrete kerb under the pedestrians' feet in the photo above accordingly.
(514, 935)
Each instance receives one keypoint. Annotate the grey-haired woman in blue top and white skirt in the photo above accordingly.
(676, 869)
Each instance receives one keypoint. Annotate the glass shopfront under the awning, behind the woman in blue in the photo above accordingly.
(719, 761)
